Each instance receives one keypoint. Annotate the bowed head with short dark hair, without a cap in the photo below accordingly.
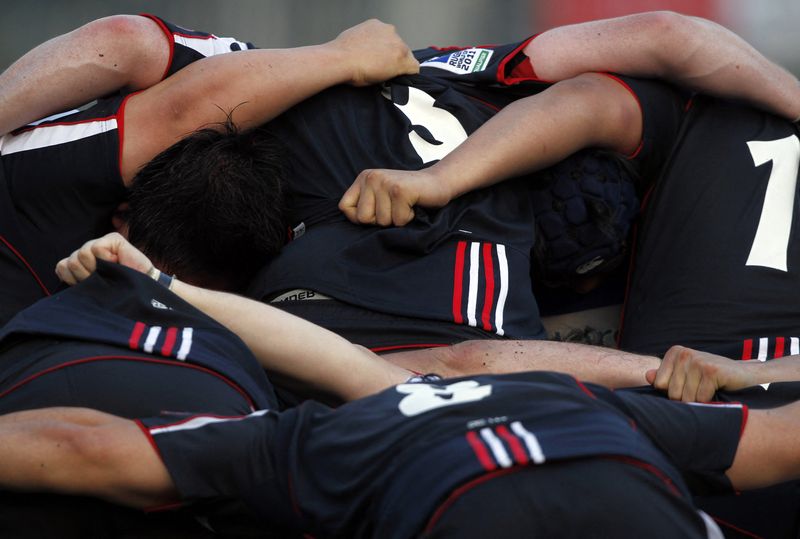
(211, 207)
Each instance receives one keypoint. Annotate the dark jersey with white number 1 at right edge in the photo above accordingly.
(717, 266)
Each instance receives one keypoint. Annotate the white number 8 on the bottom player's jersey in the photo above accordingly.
(423, 398)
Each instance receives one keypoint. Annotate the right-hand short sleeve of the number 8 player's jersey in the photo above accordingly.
(700, 439)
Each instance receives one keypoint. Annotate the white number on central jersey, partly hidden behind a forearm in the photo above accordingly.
(444, 127)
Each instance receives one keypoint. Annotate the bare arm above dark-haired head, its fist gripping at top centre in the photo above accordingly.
(256, 85)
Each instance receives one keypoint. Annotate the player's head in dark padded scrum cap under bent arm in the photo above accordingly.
(584, 207)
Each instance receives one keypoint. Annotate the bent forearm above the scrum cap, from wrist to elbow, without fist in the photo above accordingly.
(538, 131)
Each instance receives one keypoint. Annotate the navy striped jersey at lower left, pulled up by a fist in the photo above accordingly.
(121, 315)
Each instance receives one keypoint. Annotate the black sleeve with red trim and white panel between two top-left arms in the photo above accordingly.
(187, 46)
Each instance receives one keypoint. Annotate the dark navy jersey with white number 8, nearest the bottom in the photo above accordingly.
(310, 471)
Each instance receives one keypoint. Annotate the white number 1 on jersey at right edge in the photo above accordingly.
(771, 243)
